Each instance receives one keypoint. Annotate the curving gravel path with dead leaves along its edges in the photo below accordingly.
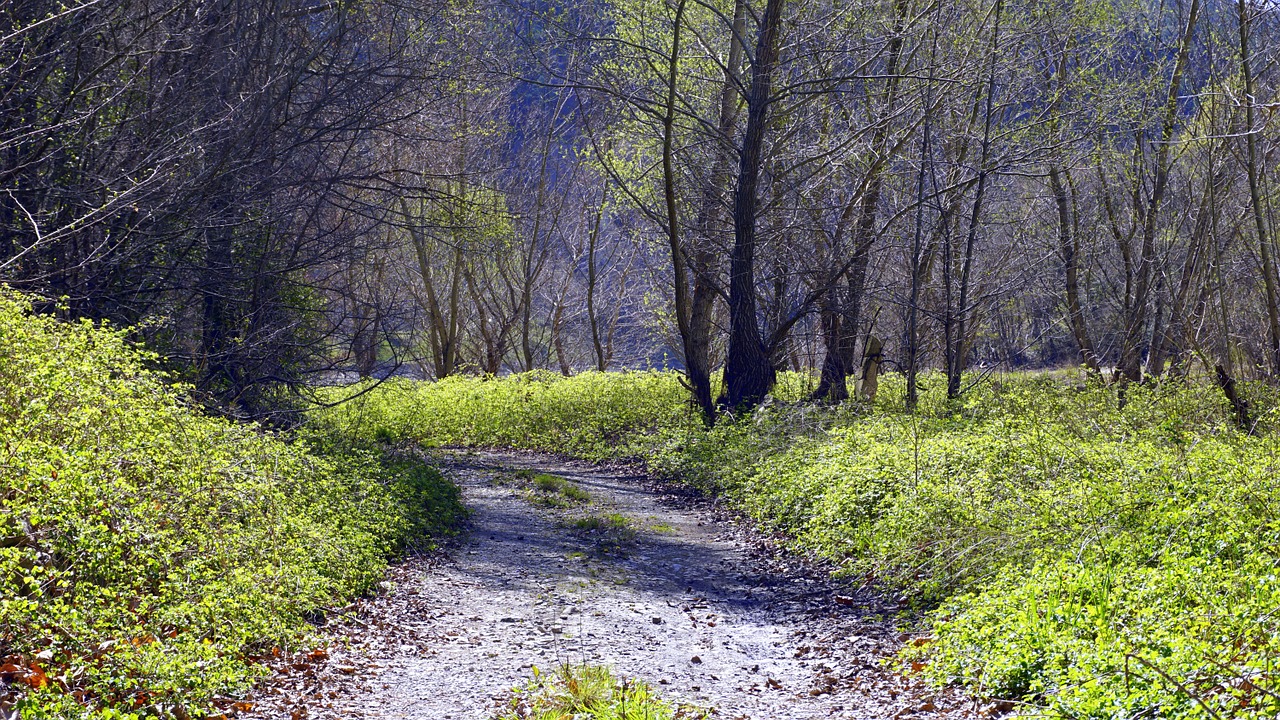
(682, 595)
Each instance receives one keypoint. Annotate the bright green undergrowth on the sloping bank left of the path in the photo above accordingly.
(150, 554)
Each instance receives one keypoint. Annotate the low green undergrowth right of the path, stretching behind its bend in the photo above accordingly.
(1087, 559)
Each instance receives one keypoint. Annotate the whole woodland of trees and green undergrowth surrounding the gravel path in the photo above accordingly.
(976, 300)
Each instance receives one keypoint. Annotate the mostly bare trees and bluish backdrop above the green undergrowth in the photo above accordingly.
(277, 195)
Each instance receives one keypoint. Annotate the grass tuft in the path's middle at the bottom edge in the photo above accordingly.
(591, 692)
